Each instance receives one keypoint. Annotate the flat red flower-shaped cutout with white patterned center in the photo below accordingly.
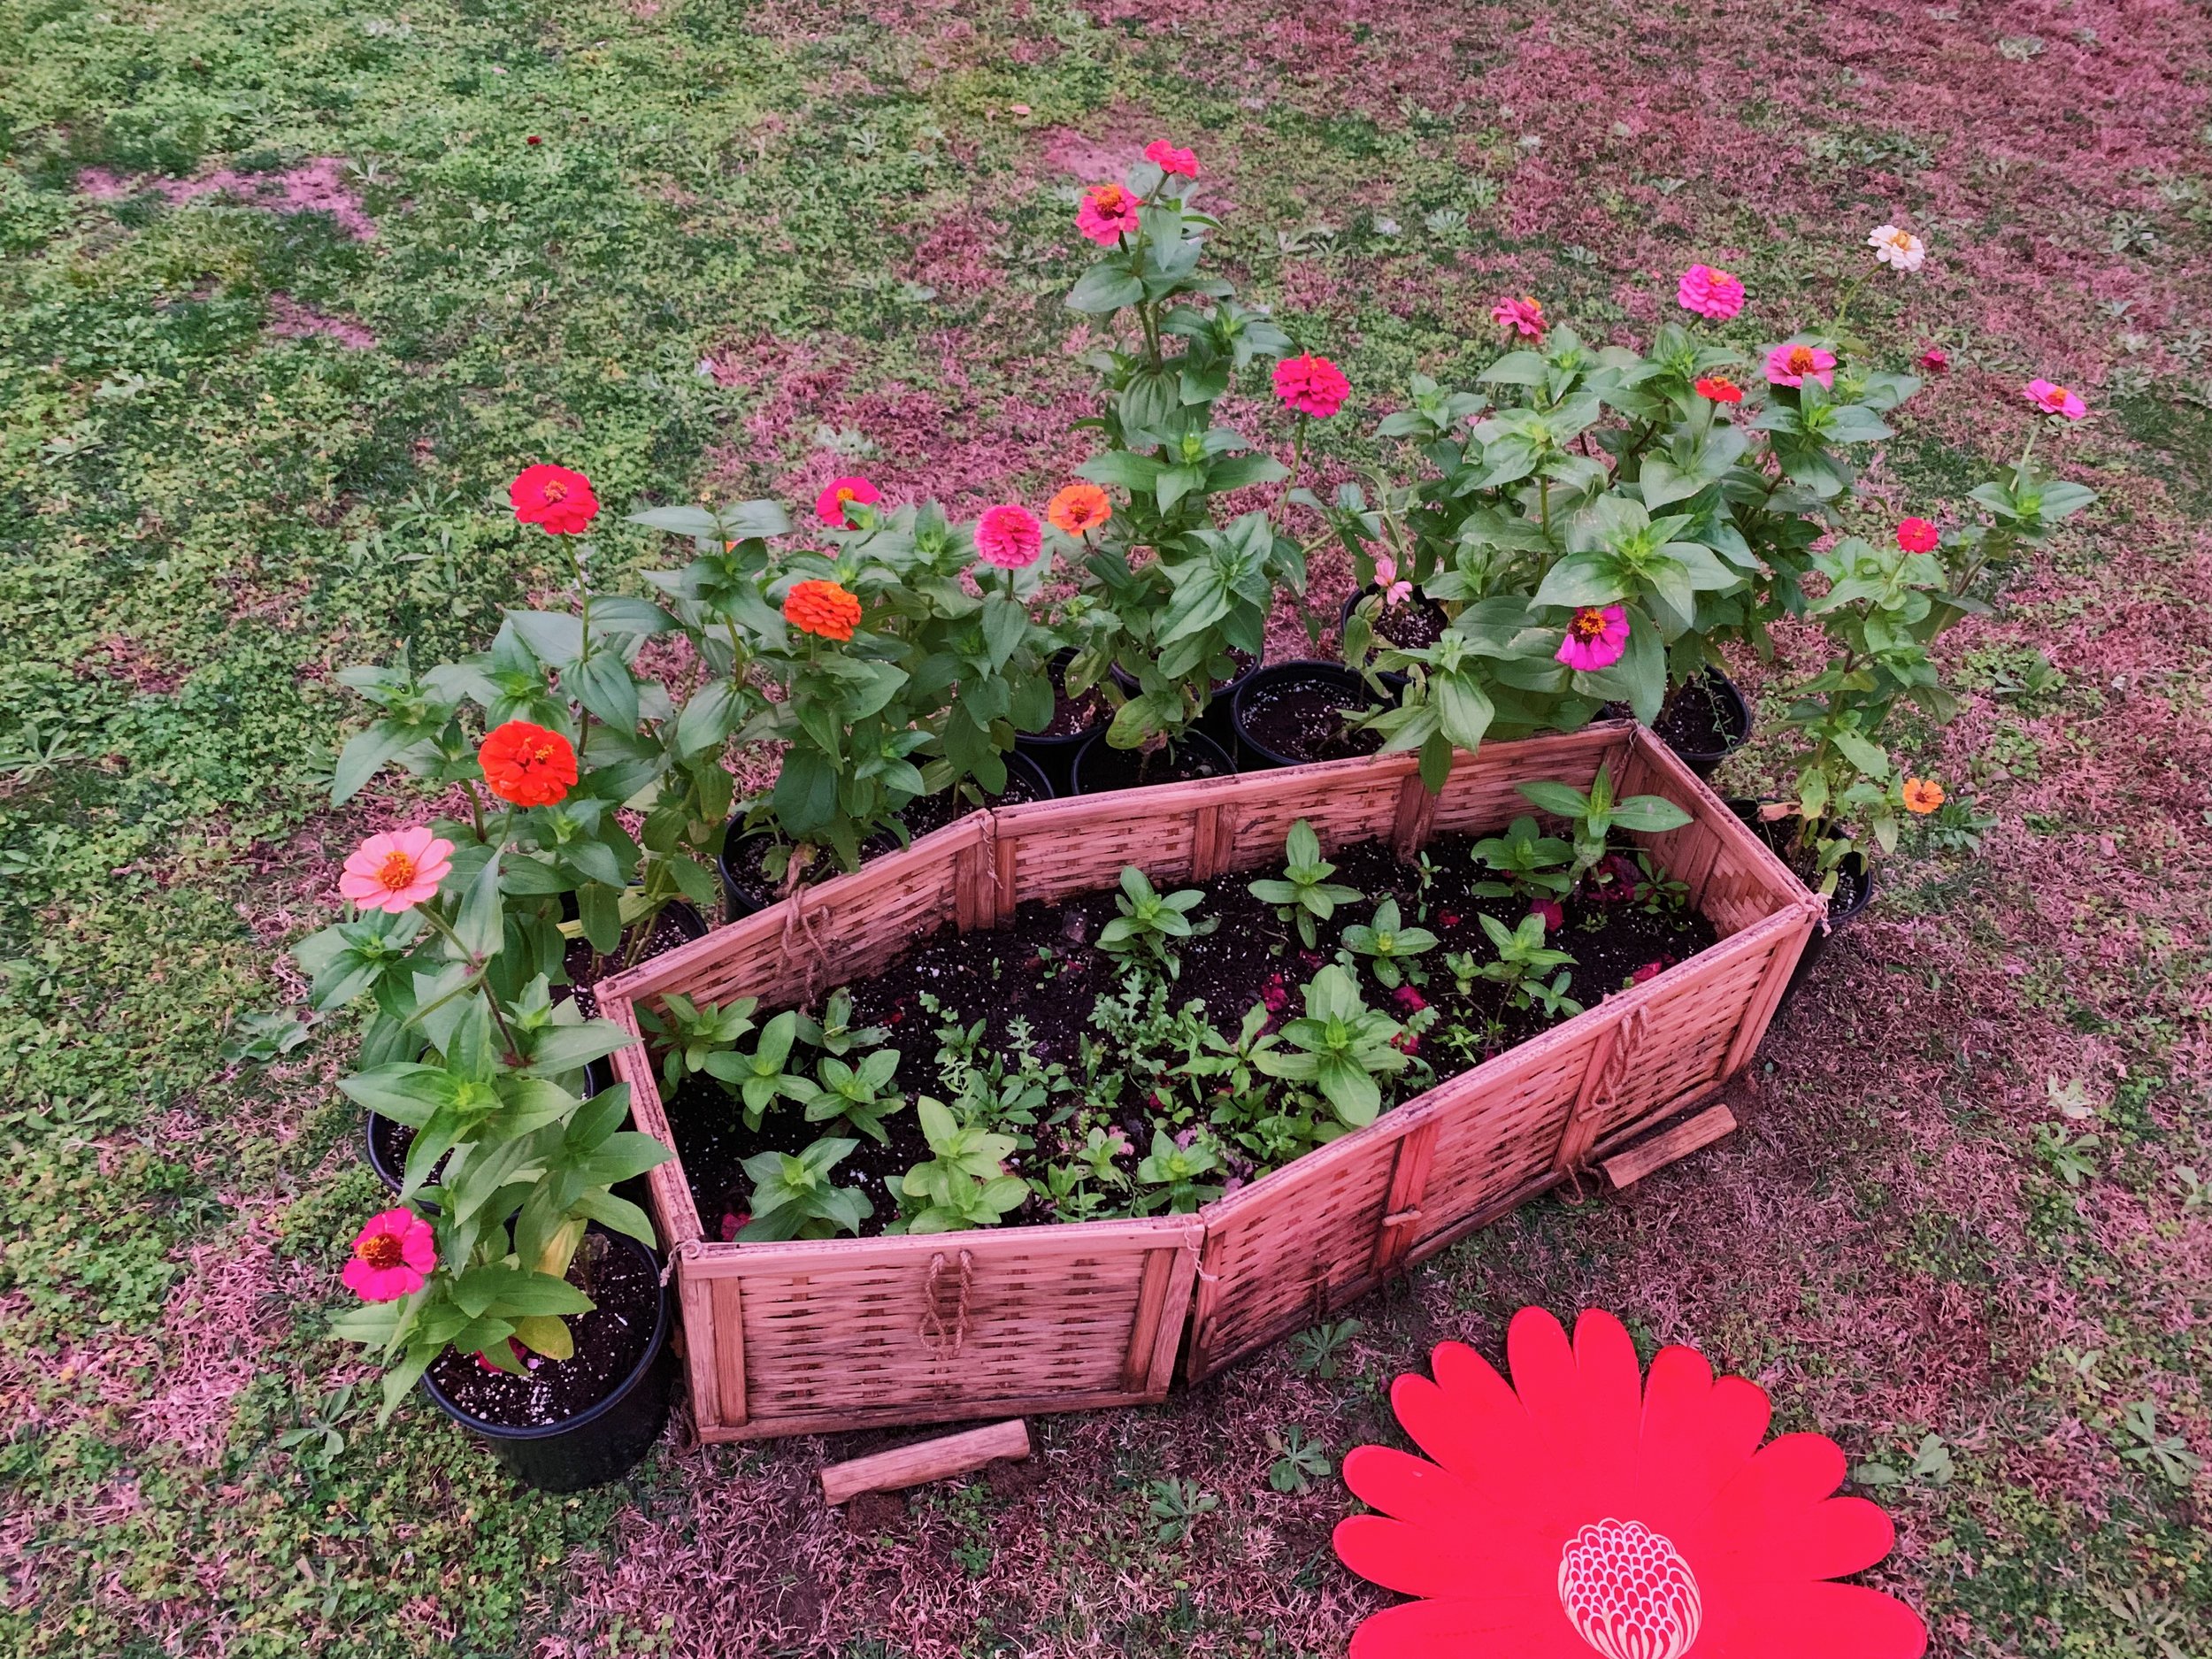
(1585, 1510)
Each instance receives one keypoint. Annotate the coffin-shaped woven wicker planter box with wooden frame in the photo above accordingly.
(855, 1333)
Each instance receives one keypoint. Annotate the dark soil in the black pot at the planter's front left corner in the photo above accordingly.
(609, 1342)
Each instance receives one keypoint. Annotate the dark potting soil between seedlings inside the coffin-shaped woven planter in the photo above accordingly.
(1045, 970)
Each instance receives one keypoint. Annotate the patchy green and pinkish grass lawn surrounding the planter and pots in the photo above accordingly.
(293, 289)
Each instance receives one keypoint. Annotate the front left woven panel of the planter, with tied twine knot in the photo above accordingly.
(848, 1333)
